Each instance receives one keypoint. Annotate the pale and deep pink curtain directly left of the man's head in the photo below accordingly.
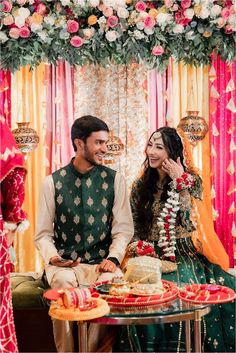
(60, 114)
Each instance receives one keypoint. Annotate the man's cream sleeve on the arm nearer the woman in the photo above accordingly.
(122, 225)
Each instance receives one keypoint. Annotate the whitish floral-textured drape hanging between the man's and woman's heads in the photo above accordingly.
(117, 94)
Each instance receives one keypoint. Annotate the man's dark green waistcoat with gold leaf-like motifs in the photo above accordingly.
(83, 213)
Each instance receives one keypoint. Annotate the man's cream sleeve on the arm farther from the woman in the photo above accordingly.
(46, 213)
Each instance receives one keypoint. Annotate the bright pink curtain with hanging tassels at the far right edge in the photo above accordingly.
(222, 136)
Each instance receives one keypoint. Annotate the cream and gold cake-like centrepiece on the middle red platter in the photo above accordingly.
(144, 269)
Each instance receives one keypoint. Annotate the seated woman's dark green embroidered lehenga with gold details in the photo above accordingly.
(218, 327)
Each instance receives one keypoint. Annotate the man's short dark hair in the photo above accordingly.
(83, 127)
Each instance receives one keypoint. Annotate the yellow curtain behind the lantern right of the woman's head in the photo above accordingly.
(190, 91)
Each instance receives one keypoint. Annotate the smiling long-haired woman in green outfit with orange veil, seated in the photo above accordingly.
(163, 200)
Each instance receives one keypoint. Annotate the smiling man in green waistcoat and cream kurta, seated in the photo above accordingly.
(84, 222)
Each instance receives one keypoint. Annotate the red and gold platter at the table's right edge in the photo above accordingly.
(206, 293)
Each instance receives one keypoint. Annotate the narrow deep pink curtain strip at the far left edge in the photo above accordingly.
(5, 95)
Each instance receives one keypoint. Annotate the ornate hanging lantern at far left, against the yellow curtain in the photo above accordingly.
(26, 138)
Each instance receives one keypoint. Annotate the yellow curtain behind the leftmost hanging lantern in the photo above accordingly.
(28, 98)
